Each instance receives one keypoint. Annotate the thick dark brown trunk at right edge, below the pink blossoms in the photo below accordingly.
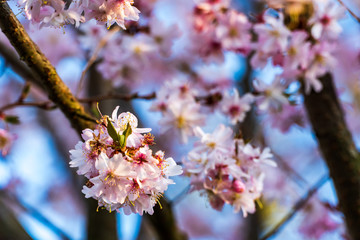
(338, 149)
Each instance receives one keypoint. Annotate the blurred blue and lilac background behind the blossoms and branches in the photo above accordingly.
(41, 193)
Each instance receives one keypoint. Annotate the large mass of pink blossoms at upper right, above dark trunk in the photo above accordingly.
(303, 54)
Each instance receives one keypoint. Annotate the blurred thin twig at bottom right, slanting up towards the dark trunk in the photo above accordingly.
(297, 206)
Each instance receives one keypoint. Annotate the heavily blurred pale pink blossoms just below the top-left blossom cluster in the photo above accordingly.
(129, 60)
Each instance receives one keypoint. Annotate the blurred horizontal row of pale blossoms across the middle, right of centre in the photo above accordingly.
(184, 106)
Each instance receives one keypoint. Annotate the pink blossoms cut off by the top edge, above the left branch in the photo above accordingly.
(56, 13)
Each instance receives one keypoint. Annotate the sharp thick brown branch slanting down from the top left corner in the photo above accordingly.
(57, 91)
